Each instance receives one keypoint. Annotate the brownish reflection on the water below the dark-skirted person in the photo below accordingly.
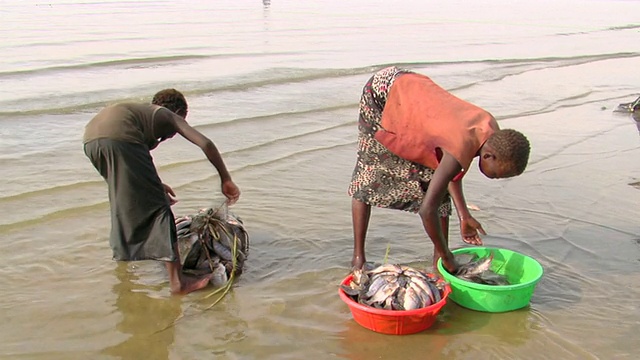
(142, 315)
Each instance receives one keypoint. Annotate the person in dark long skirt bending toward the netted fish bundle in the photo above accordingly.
(118, 141)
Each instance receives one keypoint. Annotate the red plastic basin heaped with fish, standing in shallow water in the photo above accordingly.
(394, 322)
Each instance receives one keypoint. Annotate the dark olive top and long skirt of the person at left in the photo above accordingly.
(118, 141)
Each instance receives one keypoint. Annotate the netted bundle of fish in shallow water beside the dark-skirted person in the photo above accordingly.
(212, 241)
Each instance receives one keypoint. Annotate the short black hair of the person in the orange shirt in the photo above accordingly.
(512, 147)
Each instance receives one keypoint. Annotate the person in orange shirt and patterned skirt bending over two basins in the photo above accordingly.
(416, 141)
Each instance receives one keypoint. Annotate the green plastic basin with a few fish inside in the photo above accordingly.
(522, 271)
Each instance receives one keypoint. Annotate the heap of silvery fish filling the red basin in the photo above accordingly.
(394, 287)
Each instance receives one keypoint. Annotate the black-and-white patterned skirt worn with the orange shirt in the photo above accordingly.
(381, 178)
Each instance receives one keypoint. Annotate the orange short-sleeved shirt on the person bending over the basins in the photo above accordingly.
(420, 117)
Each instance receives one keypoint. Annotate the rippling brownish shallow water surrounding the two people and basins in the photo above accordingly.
(276, 85)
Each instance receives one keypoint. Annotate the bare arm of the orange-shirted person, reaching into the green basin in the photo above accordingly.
(436, 192)
